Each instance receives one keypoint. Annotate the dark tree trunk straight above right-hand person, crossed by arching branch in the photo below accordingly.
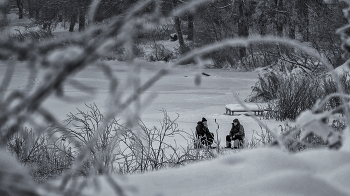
(243, 29)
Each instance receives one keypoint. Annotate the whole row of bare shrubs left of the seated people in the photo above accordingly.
(118, 149)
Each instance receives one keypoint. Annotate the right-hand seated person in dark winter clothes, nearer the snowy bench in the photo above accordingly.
(236, 133)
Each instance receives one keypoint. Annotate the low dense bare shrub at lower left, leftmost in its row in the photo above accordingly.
(46, 158)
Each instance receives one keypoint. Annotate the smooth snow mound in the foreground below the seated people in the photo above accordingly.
(266, 171)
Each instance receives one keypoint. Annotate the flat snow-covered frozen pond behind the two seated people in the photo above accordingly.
(176, 93)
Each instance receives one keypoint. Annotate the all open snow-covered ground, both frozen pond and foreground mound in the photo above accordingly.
(266, 171)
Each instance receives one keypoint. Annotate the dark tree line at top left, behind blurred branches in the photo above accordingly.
(47, 13)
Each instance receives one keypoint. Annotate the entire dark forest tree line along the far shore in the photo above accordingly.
(310, 21)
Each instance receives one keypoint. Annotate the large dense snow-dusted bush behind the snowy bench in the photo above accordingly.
(289, 94)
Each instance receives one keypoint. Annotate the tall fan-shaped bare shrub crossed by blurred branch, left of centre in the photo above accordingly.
(84, 129)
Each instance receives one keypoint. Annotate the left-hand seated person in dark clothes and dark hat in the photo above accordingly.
(204, 136)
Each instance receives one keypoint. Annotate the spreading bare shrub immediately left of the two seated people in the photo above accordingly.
(151, 149)
